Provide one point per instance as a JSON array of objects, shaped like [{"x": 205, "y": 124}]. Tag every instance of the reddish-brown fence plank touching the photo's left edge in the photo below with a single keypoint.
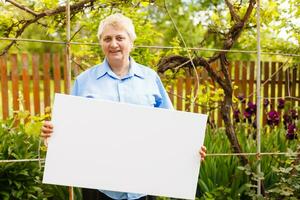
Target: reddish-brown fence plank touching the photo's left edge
[{"x": 4, "y": 87}]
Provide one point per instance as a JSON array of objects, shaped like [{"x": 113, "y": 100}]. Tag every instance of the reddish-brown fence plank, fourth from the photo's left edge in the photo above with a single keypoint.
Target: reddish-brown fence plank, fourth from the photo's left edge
[{"x": 36, "y": 88}]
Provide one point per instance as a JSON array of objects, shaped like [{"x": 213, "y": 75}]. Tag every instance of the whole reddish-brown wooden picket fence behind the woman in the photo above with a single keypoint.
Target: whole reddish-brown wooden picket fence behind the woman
[{"x": 32, "y": 80}]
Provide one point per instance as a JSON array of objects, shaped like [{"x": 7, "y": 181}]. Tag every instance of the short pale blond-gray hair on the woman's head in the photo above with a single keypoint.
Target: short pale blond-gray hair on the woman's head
[{"x": 117, "y": 20}]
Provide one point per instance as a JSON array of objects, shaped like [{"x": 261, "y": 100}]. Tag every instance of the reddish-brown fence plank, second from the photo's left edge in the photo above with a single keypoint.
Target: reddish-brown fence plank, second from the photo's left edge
[{"x": 15, "y": 81}]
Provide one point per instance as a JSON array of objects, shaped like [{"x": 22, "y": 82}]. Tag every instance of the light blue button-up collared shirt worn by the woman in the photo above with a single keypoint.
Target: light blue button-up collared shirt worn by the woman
[{"x": 141, "y": 86}]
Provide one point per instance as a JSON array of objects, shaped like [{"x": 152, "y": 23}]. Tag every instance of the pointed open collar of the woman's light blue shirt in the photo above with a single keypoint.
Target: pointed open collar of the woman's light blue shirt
[{"x": 134, "y": 70}]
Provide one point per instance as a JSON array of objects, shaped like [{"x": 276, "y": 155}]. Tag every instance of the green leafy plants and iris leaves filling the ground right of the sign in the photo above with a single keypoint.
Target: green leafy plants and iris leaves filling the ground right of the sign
[{"x": 222, "y": 177}]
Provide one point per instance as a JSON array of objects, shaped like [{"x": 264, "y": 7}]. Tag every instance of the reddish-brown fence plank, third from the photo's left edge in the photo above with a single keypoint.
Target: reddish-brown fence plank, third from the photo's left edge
[{"x": 26, "y": 82}]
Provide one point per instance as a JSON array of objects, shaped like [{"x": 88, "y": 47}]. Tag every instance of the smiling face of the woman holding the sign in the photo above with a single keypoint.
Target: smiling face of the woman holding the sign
[{"x": 115, "y": 43}]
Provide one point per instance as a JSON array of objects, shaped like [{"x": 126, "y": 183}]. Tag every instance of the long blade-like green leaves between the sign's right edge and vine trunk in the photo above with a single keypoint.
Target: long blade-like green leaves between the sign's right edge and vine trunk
[{"x": 219, "y": 176}]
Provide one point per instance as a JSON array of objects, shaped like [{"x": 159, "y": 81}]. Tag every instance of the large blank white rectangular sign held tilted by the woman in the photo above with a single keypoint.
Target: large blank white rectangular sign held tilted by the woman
[{"x": 122, "y": 147}]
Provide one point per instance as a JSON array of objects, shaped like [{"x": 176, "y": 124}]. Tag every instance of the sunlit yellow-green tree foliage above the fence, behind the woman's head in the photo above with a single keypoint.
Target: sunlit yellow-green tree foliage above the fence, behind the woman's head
[{"x": 202, "y": 23}]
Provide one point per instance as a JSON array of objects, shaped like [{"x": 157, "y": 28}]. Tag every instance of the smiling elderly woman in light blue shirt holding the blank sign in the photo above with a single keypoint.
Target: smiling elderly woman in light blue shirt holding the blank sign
[{"x": 119, "y": 78}]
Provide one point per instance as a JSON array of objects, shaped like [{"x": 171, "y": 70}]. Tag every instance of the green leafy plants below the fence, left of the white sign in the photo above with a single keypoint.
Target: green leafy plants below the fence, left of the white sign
[{"x": 20, "y": 139}]
